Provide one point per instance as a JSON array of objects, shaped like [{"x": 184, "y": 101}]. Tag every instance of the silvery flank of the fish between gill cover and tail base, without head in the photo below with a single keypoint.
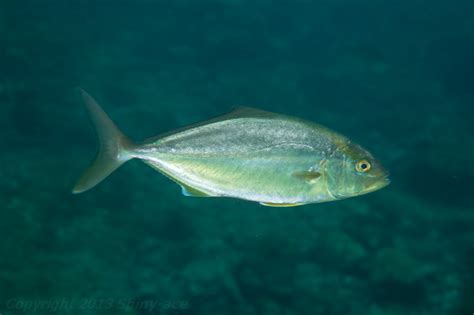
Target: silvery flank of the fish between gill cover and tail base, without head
[{"x": 253, "y": 158}]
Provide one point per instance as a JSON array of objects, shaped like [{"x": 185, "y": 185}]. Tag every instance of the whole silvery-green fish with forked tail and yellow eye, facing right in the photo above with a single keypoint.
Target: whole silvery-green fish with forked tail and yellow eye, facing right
[{"x": 251, "y": 154}]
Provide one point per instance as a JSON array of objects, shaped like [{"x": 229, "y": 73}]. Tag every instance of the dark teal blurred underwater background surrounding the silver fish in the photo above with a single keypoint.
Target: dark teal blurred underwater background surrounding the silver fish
[{"x": 395, "y": 76}]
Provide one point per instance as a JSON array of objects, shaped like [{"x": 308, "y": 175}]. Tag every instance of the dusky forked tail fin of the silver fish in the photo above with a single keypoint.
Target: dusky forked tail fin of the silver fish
[{"x": 114, "y": 147}]
